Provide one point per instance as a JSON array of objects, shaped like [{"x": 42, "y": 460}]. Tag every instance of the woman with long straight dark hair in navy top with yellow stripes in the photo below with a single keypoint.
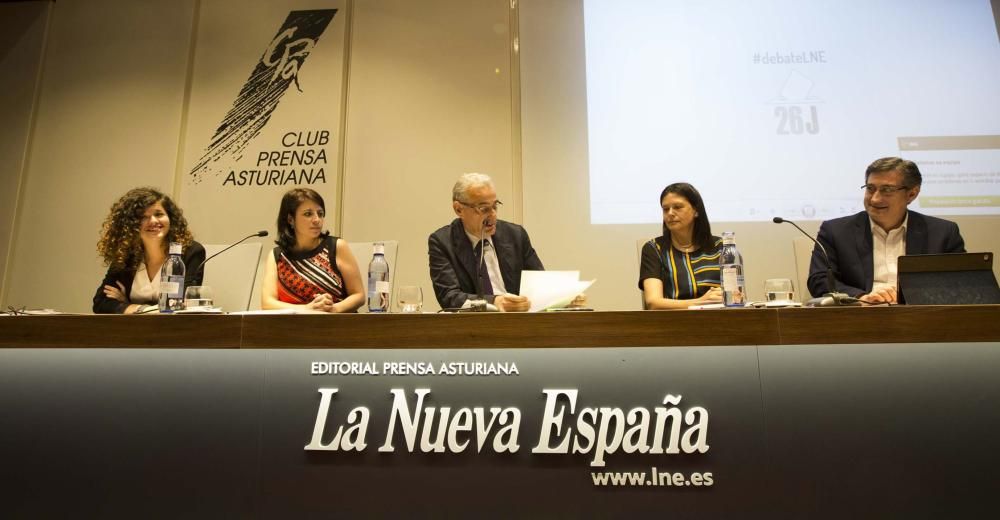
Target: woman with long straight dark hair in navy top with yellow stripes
[{"x": 681, "y": 268}]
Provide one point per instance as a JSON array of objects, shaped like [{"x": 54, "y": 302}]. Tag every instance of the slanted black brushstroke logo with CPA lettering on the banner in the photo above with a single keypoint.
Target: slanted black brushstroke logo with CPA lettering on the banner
[{"x": 277, "y": 69}]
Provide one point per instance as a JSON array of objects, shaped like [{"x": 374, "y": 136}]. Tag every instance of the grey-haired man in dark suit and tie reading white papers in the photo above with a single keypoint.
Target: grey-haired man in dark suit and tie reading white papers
[{"x": 455, "y": 250}]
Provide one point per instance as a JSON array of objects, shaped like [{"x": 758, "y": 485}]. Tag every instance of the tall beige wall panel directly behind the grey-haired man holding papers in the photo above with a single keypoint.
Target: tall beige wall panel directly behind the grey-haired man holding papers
[{"x": 429, "y": 98}]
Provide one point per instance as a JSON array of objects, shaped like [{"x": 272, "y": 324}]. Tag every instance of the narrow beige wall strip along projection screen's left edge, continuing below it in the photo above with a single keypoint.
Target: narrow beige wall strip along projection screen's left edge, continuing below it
[{"x": 554, "y": 141}]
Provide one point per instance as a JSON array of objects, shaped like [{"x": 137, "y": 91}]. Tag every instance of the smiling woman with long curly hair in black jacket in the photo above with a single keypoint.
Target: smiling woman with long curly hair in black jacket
[{"x": 134, "y": 243}]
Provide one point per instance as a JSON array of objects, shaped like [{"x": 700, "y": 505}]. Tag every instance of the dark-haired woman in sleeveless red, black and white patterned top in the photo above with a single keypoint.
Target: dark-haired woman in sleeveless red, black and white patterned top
[{"x": 309, "y": 269}]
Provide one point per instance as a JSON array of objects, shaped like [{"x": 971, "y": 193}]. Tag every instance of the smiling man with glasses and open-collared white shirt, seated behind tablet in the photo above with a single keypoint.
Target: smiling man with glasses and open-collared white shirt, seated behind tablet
[{"x": 864, "y": 247}]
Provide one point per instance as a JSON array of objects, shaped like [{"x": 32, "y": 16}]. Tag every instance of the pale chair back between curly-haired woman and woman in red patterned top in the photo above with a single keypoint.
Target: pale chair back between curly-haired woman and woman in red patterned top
[{"x": 231, "y": 275}]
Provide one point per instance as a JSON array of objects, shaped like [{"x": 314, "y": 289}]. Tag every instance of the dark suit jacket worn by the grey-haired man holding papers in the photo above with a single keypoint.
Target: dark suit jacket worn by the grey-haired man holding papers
[{"x": 453, "y": 263}]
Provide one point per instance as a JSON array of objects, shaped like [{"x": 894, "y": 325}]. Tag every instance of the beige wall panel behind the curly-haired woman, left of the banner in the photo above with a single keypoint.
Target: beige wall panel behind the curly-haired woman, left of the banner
[{"x": 107, "y": 119}]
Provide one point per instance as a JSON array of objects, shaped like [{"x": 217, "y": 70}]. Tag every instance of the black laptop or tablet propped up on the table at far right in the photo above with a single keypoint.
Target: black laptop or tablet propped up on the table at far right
[{"x": 947, "y": 279}]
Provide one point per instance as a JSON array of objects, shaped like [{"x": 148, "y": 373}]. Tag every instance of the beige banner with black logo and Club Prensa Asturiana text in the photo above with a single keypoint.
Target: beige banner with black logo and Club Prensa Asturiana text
[{"x": 264, "y": 114}]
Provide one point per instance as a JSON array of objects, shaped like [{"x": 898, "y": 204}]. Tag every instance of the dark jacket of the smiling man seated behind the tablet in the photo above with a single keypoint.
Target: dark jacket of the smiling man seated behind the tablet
[{"x": 848, "y": 241}]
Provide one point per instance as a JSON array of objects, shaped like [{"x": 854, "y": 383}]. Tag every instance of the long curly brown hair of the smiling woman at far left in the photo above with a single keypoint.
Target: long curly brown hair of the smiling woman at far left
[{"x": 120, "y": 244}]
